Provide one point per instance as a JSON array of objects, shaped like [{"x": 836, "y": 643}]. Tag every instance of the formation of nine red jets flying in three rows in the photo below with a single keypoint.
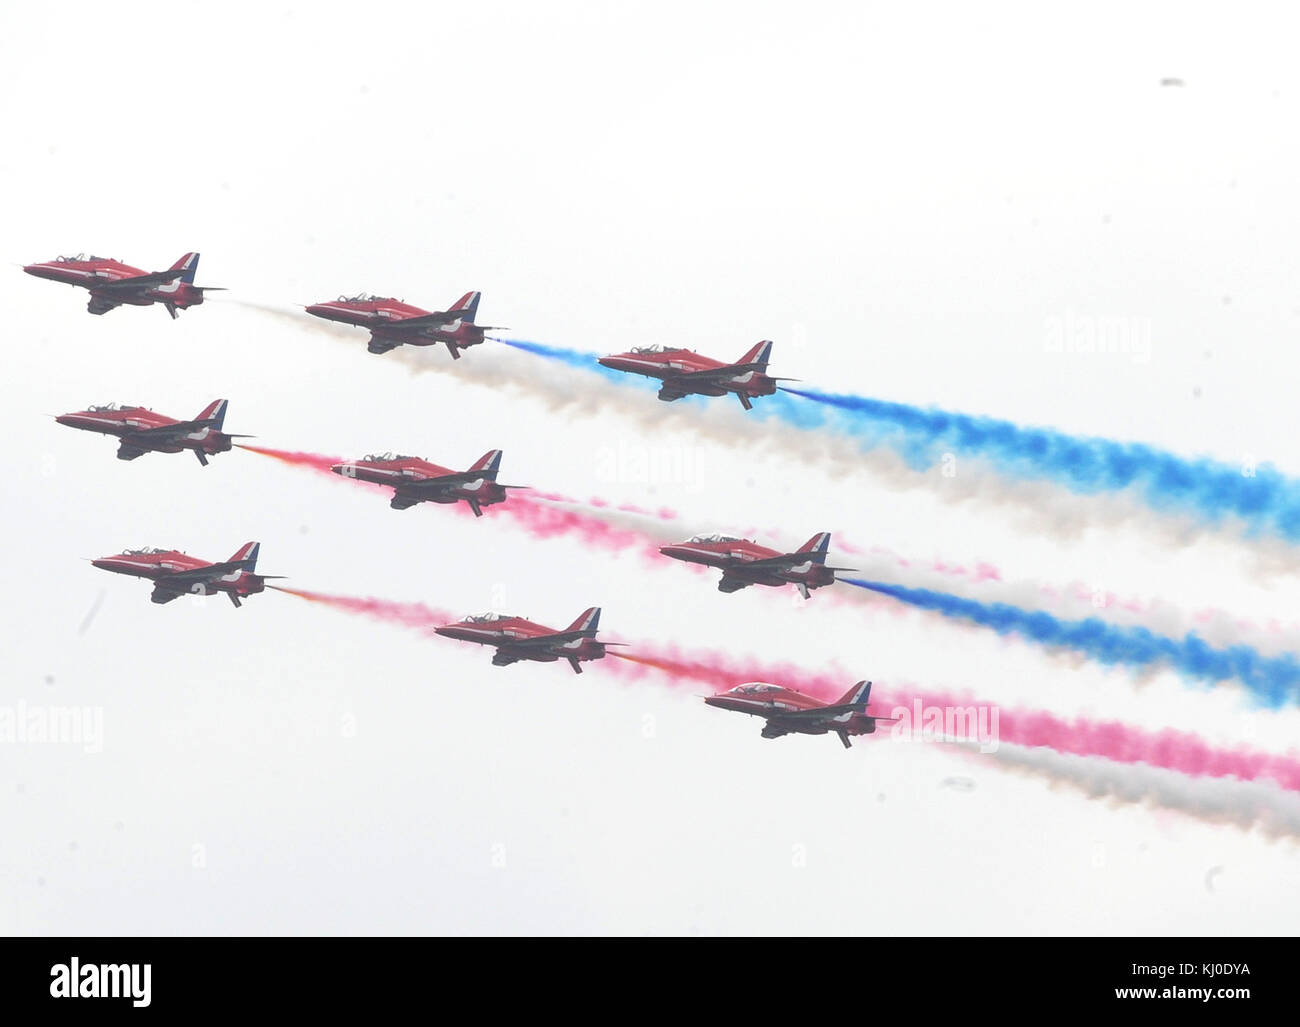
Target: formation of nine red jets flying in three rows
[{"x": 414, "y": 480}]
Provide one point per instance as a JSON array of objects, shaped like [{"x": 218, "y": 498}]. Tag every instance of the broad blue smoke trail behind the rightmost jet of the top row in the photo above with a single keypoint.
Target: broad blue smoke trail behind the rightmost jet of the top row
[{"x": 1268, "y": 502}]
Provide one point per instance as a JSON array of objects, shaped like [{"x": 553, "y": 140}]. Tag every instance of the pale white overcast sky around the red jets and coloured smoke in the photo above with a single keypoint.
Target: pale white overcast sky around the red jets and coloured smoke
[{"x": 902, "y": 200}]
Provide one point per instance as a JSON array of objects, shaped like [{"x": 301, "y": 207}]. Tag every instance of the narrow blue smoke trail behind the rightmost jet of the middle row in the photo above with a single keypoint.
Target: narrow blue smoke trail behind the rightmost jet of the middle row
[{"x": 1272, "y": 679}]
